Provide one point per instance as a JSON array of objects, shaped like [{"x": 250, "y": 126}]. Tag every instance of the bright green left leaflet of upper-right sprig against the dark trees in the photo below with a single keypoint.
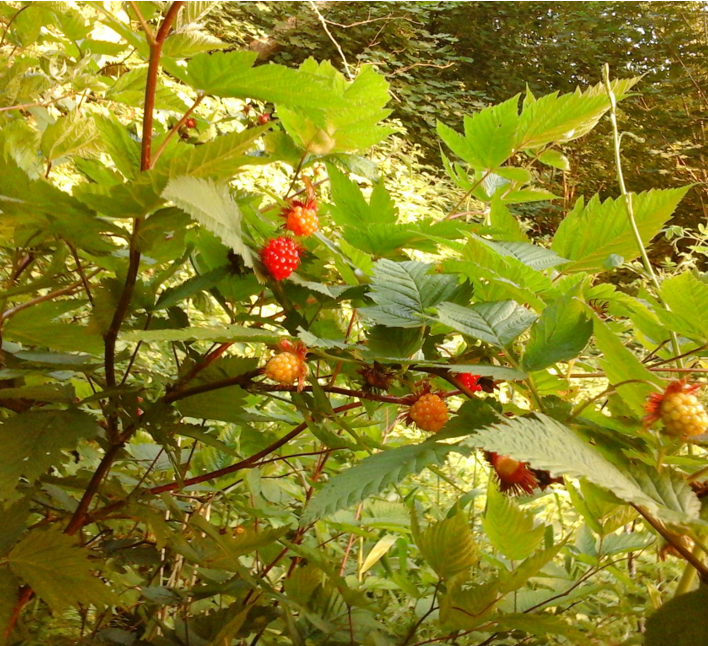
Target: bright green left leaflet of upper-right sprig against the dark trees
[{"x": 490, "y": 136}]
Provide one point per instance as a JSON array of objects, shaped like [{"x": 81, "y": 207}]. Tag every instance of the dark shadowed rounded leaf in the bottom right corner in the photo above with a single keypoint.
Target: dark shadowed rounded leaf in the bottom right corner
[{"x": 681, "y": 621}]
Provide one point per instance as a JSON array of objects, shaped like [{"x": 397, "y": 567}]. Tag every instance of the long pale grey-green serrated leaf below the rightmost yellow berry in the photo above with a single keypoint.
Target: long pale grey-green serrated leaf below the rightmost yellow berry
[{"x": 547, "y": 444}]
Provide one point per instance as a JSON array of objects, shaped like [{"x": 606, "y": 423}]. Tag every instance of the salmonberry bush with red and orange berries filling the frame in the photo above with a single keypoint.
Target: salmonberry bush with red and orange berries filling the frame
[{"x": 246, "y": 399}]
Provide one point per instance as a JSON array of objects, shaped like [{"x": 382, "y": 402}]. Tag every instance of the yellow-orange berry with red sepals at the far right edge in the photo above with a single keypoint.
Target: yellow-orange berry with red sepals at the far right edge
[{"x": 679, "y": 409}]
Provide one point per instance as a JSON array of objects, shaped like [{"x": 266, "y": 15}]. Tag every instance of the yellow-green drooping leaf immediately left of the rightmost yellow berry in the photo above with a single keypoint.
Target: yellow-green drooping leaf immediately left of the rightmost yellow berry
[{"x": 620, "y": 365}]
